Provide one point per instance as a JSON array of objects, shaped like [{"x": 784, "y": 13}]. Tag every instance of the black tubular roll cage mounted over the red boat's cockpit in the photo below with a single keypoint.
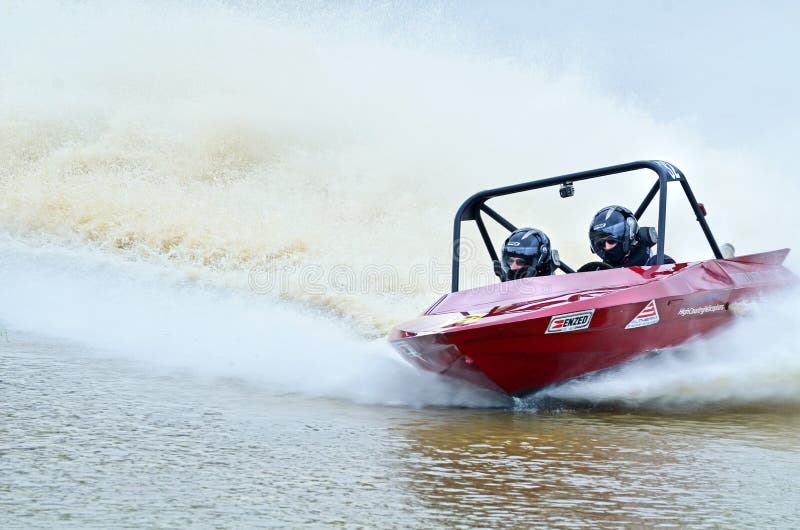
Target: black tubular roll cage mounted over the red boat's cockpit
[{"x": 472, "y": 208}]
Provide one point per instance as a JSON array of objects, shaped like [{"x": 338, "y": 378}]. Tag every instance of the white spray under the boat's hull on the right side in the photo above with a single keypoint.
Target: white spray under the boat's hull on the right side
[{"x": 755, "y": 362}]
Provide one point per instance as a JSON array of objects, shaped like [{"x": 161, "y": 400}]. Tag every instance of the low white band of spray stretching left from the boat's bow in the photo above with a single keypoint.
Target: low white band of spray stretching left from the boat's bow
[{"x": 136, "y": 311}]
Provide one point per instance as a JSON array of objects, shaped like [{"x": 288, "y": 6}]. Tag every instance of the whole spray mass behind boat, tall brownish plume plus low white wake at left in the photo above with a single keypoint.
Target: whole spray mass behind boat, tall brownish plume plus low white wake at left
[{"x": 240, "y": 162}]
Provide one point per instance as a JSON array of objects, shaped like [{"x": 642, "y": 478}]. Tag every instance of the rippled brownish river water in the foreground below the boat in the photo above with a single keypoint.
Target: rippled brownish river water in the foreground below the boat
[{"x": 88, "y": 440}]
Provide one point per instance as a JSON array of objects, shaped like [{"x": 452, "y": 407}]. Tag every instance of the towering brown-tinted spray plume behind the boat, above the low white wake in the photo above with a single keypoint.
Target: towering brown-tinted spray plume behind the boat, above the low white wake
[{"x": 302, "y": 143}]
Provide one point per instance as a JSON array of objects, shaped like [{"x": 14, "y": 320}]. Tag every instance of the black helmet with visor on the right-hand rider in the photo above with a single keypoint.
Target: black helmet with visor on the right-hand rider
[{"x": 613, "y": 223}]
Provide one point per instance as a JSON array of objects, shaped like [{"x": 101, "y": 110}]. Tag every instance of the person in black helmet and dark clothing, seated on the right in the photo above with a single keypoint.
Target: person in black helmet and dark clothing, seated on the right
[{"x": 614, "y": 236}]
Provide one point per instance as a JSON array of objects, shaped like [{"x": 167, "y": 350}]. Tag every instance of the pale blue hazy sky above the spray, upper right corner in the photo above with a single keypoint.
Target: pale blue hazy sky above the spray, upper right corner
[{"x": 730, "y": 67}]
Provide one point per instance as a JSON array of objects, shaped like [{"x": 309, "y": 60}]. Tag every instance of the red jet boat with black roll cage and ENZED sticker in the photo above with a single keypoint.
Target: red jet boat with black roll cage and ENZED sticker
[{"x": 522, "y": 335}]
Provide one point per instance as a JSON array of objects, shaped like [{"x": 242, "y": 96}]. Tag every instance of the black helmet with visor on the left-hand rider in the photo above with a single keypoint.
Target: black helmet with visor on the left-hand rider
[{"x": 531, "y": 245}]
